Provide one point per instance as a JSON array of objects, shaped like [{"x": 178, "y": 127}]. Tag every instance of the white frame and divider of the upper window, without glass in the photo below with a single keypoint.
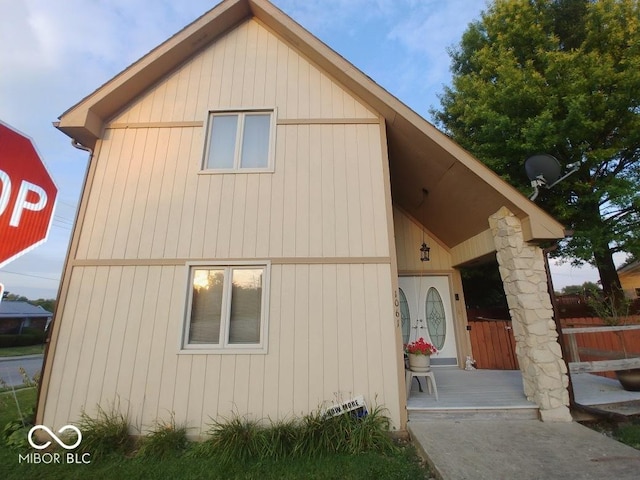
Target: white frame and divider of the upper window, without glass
[{"x": 241, "y": 112}]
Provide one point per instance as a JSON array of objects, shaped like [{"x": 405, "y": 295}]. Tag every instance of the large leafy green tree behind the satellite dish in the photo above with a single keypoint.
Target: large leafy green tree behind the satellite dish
[{"x": 559, "y": 77}]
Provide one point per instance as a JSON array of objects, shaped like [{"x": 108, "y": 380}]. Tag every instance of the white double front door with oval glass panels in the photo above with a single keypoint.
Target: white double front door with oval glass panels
[{"x": 426, "y": 311}]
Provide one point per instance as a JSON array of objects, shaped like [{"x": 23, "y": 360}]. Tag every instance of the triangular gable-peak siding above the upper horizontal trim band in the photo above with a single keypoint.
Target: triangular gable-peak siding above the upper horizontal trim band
[{"x": 249, "y": 66}]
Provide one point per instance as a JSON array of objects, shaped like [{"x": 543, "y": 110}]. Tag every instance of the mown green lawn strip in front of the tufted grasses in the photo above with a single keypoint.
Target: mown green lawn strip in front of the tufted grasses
[{"x": 401, "y": 465}]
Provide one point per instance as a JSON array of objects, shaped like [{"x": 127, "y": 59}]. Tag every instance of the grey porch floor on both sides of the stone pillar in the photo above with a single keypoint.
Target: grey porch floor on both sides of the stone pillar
[{"x": 487, "y": 391}]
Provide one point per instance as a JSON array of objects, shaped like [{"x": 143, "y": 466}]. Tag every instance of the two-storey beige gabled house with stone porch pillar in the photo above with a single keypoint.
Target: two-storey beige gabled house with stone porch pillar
[{"x": 249, "y": 233}]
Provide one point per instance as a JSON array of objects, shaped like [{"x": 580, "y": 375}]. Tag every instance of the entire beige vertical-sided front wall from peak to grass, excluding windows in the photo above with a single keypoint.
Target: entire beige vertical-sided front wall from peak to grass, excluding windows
[{"x": 331, "y": 326}]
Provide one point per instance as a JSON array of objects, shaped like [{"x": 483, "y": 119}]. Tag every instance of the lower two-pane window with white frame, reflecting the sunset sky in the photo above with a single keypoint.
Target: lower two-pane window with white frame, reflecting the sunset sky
[{"x": 227, "y": 308}]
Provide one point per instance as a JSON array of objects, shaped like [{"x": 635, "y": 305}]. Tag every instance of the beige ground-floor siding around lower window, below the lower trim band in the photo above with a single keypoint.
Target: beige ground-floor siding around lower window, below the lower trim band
[{"x": 326, "y": 342}]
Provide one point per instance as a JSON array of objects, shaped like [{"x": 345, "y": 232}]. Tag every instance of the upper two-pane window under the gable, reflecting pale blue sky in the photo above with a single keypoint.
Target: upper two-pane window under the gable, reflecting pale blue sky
[{"x": 240, "y": 141}]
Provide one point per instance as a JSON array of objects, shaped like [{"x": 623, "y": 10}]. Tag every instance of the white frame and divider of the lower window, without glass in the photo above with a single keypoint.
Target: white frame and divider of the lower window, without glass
[{"x": 226, "y": 348}]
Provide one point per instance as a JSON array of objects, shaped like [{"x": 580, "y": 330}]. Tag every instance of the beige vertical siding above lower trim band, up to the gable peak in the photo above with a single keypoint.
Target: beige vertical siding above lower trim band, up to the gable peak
[{"x": 148, "y": 182}]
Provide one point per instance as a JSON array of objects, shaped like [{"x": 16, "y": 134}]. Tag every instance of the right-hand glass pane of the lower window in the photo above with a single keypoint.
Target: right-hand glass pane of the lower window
[{"x": 246, "y": 305}]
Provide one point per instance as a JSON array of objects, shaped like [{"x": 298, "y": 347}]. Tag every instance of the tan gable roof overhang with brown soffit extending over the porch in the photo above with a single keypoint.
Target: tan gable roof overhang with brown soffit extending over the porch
[{"x": 462, "y": 192}]
